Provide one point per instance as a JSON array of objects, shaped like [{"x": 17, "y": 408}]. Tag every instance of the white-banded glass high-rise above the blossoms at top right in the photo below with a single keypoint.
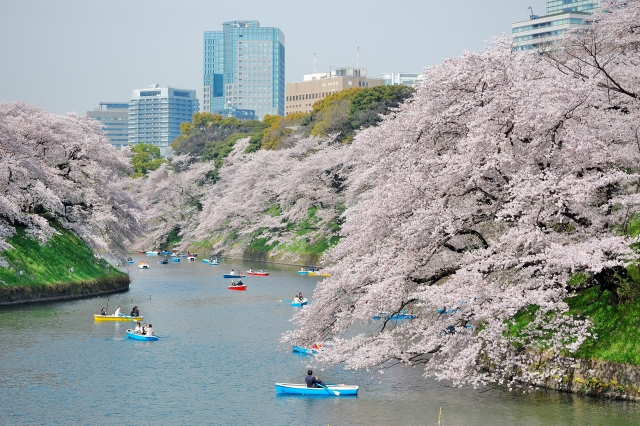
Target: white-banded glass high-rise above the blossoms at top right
[{"x": 561, "y": 16}]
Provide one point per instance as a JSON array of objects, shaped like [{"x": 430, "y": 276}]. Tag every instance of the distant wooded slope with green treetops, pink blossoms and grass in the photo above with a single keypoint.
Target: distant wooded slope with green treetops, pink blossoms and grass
[{"x": 224, "y": 192}]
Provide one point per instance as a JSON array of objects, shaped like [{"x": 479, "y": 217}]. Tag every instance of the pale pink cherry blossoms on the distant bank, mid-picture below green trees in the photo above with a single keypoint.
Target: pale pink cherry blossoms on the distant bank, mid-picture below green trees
[{"x": 307, "y": 174}]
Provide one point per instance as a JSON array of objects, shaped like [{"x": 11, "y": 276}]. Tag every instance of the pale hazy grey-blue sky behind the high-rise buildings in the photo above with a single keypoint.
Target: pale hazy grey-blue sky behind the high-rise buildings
[{"x": 68, "y": 55}]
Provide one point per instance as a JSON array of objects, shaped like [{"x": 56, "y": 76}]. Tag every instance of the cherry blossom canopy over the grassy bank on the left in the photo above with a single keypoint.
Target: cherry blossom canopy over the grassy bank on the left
[{"x": 63, "y": 168}]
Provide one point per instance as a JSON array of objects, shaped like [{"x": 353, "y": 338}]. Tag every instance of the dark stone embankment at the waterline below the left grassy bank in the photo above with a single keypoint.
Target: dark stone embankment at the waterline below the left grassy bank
[{"x": 64, "y": 291}]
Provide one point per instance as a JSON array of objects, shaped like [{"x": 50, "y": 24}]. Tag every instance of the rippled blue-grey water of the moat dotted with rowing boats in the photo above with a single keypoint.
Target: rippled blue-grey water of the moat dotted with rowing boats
[{"x": 217, "y": 360}]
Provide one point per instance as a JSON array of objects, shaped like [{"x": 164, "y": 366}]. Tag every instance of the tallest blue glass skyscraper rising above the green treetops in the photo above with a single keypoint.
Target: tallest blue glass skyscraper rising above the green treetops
[{"x": 244, "y": 69}]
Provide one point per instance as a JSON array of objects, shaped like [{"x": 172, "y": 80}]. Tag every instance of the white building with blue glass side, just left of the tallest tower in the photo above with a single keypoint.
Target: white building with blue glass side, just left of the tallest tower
[{"x": 155, "y": 115}]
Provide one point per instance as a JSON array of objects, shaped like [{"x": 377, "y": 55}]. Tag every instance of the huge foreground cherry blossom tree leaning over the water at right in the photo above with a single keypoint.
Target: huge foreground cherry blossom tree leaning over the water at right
[{"x": 504, "y": 176}]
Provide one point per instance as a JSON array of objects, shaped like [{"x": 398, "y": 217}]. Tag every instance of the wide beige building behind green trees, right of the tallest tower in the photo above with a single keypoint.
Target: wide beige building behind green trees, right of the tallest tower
[{"x": 301, "y": 95}]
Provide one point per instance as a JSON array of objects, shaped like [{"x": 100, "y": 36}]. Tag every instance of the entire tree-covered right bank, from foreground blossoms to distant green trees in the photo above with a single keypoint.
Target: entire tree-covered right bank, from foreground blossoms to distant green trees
[{"x": 499, "y": 203}]
